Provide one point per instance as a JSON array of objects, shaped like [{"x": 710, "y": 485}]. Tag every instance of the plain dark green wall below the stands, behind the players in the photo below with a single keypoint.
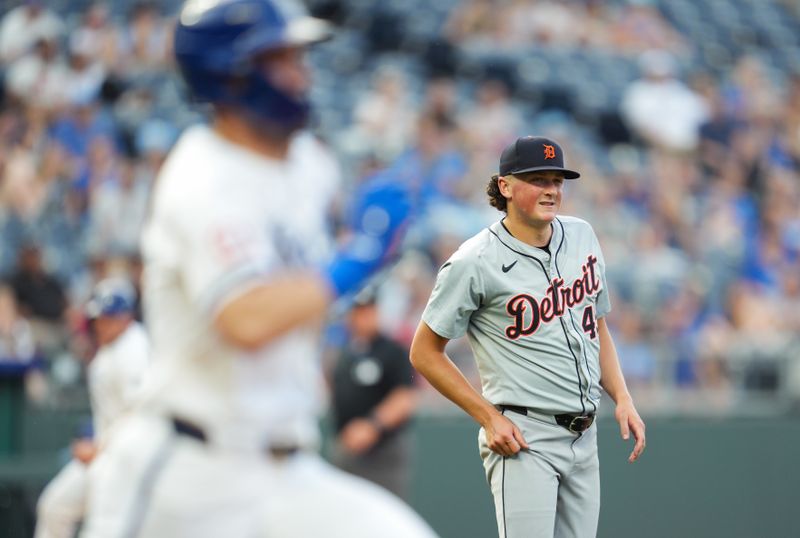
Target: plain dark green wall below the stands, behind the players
[{"x": 699, "y": 478}]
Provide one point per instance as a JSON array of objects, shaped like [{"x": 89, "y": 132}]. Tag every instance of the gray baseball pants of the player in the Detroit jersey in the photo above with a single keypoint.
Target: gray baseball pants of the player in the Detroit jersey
[{"x": 551, "y": 490}]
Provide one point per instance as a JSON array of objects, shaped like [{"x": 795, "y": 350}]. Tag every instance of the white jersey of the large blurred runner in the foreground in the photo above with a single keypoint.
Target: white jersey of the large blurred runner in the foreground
[{"x": 224, "y": 219}]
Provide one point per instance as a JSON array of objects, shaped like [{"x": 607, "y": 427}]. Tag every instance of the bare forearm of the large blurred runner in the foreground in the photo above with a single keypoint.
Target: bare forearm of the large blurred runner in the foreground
[{"x": 268, "y": 311}]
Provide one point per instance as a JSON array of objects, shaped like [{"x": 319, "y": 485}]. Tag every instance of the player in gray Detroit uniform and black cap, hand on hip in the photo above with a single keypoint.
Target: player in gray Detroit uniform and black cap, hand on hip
[{"x": 530, "y": 293}]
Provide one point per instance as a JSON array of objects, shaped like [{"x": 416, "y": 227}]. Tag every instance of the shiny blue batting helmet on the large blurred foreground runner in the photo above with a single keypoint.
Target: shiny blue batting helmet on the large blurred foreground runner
[{"x": 216, "y": 42}]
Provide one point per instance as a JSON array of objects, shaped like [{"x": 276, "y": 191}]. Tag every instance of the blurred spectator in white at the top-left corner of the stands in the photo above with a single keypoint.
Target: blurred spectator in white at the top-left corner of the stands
[{"x": 24, "y": 26}]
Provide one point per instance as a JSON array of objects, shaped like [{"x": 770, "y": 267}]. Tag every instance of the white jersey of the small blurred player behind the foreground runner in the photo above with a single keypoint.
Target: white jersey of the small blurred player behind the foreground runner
[{"x": 116, "y": 375}]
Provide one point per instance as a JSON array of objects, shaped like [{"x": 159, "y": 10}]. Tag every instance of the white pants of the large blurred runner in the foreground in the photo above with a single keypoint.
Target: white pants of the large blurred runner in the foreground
[{"x": 159, "y": 484}]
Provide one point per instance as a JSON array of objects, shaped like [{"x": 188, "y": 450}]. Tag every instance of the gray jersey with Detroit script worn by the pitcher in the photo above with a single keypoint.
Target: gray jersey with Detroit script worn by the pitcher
[{"x": 530, "y": 315}]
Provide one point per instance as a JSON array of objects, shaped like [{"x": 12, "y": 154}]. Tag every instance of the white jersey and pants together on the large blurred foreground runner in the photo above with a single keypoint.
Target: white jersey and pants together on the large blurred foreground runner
[{"x": 225, "y": 219}]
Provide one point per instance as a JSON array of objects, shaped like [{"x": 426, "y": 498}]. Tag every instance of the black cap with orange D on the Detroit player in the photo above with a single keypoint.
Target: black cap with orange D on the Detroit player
[{"x": 534, "y": 154}]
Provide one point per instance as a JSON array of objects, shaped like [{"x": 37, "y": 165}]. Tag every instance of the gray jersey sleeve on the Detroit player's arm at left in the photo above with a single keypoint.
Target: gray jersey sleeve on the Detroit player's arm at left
[{"x": 457, "y": 294}]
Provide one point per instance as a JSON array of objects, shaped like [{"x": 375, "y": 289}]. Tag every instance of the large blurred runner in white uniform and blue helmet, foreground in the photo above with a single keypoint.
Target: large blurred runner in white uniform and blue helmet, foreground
[{"x": 237, "y": 275}]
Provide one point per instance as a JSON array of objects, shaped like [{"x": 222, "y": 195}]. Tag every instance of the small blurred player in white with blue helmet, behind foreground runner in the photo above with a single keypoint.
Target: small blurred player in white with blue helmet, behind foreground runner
[{"x": 115, "y": 375}]
